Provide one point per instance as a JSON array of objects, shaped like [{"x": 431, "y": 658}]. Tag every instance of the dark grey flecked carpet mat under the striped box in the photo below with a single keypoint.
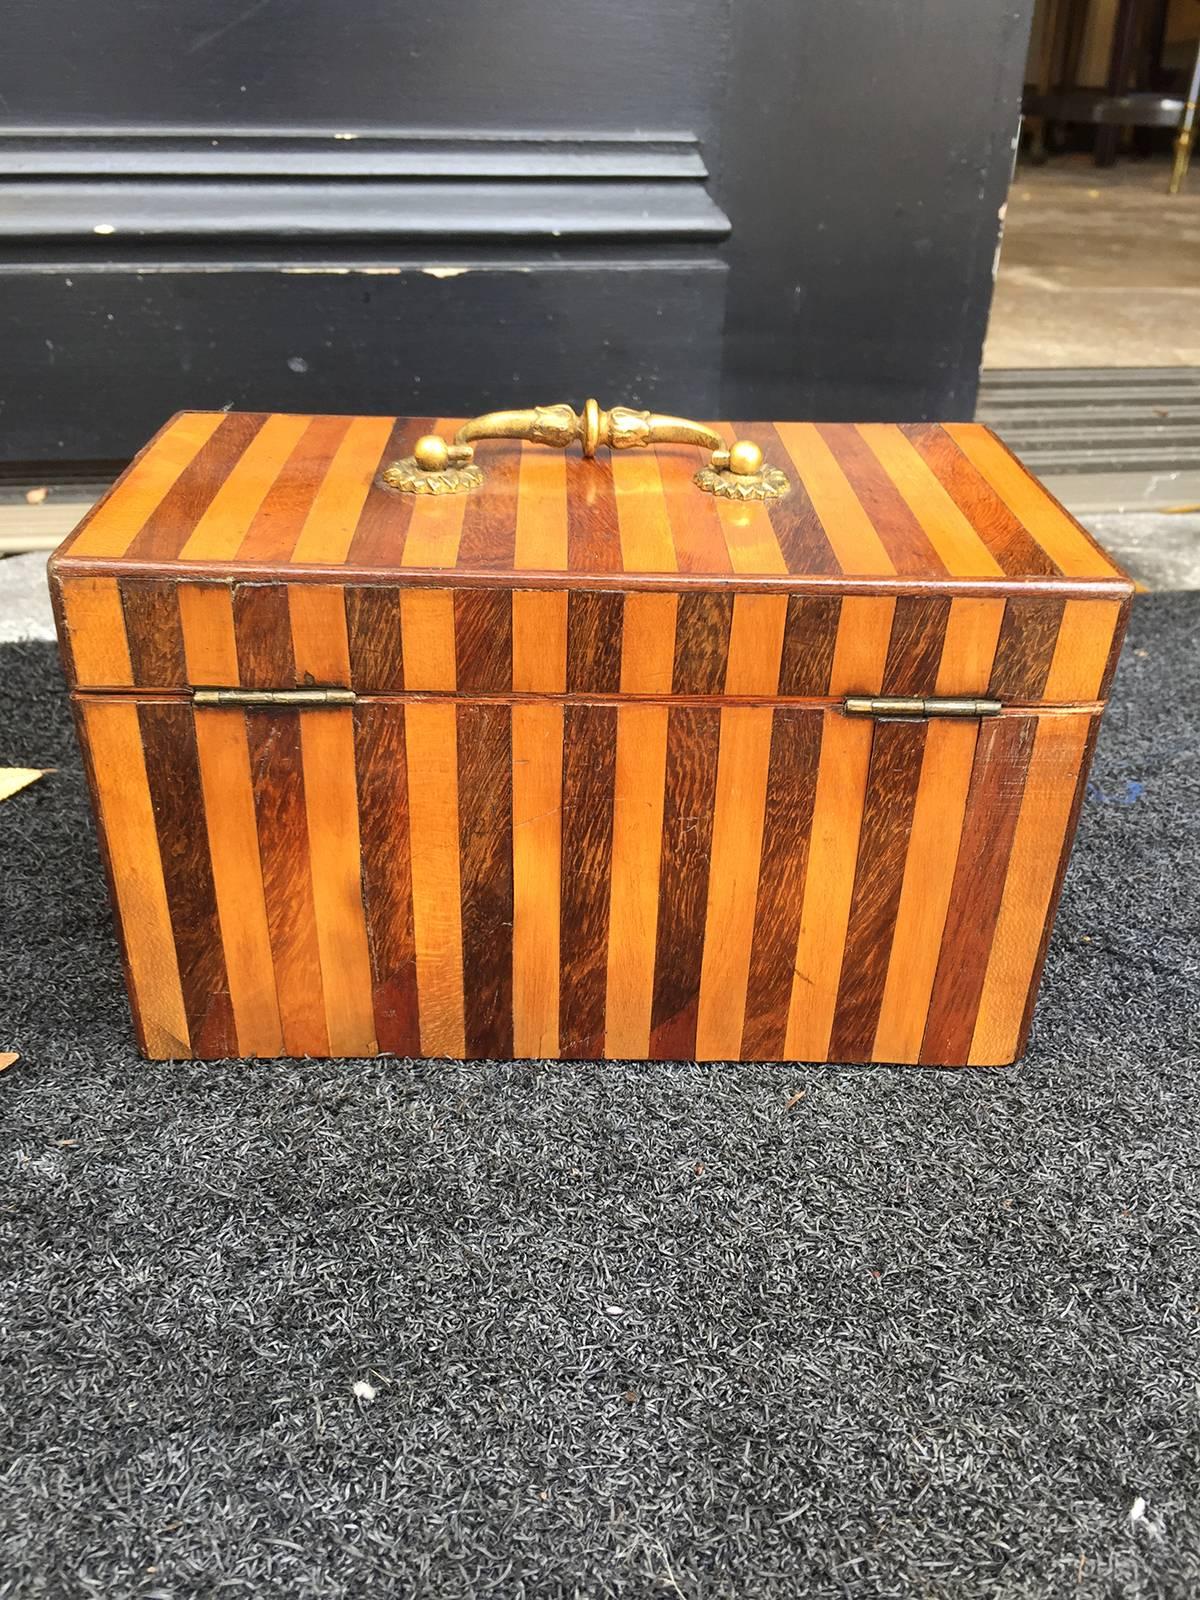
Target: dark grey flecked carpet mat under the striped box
[{"x": 631, "y": 1330}]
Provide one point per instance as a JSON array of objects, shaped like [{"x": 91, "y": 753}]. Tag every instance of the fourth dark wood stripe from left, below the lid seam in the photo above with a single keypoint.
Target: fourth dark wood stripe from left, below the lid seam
[{"x": 486, "y": 838}]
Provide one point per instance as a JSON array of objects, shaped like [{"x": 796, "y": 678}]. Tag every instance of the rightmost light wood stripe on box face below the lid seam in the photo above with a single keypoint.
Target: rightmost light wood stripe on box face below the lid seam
[{"x": 1030, "y": 886}]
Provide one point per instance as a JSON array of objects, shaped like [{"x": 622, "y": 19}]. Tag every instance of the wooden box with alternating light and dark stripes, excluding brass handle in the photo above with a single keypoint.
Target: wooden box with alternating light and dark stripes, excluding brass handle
[{"x": 590, "y": 788}]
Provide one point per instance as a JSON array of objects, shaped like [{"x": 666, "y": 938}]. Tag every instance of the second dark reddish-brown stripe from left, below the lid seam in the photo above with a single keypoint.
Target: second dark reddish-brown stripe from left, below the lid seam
[{"x": 278, "y": 775}]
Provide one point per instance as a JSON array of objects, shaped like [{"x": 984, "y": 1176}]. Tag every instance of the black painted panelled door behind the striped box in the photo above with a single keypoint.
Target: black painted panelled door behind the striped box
[{"x": 718, "y": 207}]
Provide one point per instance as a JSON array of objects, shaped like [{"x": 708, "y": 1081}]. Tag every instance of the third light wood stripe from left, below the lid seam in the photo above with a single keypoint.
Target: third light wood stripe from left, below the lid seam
[{"x": 332, "y": 806}]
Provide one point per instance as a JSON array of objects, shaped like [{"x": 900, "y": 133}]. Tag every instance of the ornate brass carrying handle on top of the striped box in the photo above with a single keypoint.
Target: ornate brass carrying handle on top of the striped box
[{"x": 439, "y": 468}]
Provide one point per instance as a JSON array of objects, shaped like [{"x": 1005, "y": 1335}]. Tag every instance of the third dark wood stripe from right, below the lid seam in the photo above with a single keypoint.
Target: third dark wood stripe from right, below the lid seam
[{"x": 788, "y": 823}]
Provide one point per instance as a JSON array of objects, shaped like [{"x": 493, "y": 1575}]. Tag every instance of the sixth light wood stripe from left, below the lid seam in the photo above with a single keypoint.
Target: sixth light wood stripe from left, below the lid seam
[{"x": 638, "y": 854}]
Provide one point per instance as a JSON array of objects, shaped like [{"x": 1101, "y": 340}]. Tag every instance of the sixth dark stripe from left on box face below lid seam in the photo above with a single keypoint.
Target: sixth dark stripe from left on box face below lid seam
[{"x": 694, "y": 740}]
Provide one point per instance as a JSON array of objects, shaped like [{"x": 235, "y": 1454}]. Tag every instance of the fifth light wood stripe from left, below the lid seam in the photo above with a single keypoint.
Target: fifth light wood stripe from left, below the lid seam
[{"x": 537, "y": 878}]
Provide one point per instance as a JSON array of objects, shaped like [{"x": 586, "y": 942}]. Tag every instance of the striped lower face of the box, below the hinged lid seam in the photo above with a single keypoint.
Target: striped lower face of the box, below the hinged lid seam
[{"x": 577, "y": 881}]
